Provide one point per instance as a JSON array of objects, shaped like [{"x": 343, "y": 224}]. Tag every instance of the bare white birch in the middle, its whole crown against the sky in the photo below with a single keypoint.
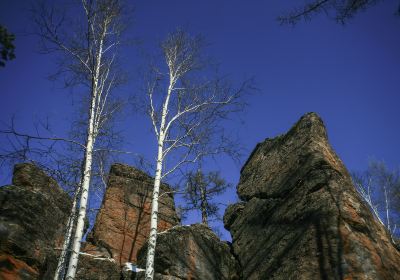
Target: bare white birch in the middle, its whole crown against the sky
[{"x": 185, "y": 104}]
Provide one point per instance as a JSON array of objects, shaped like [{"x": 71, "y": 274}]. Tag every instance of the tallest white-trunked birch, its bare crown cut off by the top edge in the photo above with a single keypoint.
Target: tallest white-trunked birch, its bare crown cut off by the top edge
[{"x": 89, "y": 57}]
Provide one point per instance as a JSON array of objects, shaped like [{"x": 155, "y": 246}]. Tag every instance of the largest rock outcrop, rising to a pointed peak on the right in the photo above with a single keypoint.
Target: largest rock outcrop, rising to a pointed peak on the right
[{"x": 301, "y": 217}]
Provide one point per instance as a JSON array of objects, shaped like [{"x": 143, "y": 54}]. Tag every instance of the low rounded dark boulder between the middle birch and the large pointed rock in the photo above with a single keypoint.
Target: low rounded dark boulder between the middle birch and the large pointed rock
[{"x": 191, "y": 252}]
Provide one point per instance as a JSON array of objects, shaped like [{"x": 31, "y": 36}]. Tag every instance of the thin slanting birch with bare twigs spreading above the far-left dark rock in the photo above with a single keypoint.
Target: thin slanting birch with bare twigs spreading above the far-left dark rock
[{"x": 61, "y": 159}]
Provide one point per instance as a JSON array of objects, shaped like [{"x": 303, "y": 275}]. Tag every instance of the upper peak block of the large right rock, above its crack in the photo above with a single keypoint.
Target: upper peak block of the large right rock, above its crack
[{"x": 275, "y": 164}]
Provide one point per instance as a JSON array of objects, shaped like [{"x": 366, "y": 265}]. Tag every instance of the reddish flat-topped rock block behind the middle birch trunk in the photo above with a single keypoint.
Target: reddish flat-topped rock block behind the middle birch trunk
[{"x": 123, "y": 223}]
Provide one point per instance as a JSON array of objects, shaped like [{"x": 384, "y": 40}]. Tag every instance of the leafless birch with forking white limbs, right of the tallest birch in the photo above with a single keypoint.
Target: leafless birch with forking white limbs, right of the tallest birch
[{"x": 192, "y": 108}]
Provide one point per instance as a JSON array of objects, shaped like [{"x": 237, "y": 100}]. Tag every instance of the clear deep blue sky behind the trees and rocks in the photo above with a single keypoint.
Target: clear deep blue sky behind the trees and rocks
[{"x": 349, "y": 75}]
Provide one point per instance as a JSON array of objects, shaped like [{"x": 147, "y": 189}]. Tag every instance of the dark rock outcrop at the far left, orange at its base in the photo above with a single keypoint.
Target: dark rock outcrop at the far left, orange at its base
[{"x": 33, "y": 212}]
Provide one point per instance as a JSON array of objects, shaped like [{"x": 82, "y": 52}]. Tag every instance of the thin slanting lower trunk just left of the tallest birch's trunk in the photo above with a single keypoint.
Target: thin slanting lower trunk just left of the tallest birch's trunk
[{"x": 61, "y": 266}]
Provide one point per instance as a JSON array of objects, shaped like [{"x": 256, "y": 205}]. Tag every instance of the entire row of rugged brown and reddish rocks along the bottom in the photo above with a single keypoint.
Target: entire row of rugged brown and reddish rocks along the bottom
[{"x": 300, "y": 218}]
